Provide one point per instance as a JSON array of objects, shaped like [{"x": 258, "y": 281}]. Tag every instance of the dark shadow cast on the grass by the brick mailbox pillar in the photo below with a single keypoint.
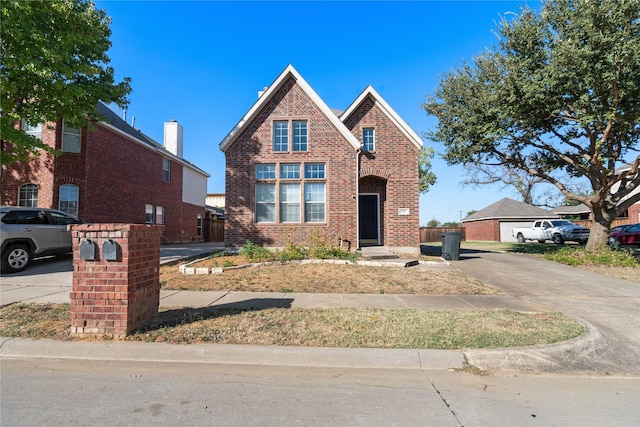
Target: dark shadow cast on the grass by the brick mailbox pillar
[{"x": 182, "y": 316}]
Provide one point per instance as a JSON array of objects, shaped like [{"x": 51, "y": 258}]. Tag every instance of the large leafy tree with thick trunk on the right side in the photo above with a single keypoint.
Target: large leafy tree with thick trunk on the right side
[{"x": 558, "y": 98}]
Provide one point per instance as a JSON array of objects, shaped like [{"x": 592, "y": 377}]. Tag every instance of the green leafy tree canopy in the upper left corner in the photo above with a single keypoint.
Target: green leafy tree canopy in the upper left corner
[{"x": 53, "y": 65}]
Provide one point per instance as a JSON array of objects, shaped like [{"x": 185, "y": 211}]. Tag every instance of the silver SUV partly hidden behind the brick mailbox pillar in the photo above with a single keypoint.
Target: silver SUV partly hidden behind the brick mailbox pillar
[{"x": 27, "y": 232}]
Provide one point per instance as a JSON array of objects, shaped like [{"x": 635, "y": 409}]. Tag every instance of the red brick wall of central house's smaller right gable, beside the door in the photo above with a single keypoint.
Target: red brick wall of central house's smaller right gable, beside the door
[{"x": 395, "y": 160}]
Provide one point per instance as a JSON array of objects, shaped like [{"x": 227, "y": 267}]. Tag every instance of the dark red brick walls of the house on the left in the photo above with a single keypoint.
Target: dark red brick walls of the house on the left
[{"x": 116, "y": 178}]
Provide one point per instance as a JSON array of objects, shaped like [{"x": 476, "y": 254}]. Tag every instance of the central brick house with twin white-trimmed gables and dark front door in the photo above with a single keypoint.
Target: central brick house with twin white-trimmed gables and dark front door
[{"x": 296, "y": 171}]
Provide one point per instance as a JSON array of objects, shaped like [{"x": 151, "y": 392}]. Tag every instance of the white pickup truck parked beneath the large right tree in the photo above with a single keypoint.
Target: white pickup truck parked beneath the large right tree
[{"x": 557, "y": 230}]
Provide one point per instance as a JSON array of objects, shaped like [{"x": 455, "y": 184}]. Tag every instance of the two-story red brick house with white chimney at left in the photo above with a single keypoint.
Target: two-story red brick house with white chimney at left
[{"x": 112, "y": 173}]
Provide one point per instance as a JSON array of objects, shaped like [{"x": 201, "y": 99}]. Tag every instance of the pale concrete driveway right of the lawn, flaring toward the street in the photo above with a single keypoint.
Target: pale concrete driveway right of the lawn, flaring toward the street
[{"x": 609, "y": 308}]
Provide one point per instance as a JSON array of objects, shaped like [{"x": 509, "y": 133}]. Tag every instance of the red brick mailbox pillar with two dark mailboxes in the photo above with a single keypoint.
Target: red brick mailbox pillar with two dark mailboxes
[{"x": 116, "y": 278}]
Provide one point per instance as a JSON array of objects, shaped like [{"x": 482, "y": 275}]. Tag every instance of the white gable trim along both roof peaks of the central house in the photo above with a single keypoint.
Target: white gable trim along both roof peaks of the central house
[{"x": 333, "y": 115}]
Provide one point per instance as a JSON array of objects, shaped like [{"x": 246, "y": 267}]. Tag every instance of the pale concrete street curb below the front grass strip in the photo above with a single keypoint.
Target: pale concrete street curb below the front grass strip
[{"x": 232, "y": 354}]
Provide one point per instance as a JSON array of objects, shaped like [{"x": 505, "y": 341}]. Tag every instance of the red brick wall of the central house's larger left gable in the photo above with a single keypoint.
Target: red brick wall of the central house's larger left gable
[{"x": 325, "y": 145}]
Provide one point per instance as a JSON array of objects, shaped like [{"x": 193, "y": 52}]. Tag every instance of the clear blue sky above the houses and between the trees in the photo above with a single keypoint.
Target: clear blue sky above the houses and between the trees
[{"x": 202, "y": 63}]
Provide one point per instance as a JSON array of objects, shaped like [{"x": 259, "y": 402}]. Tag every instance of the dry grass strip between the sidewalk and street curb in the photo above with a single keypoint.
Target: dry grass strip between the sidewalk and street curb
[{"x": 357, "y": 328}]
